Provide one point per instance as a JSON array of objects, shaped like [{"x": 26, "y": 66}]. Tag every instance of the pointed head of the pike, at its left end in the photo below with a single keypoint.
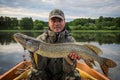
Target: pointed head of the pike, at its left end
[{"x": 29, "y": 43}]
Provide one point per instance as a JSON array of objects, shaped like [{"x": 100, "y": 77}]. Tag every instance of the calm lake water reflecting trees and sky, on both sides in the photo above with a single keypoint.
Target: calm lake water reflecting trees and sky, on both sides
[{"x": 11, "y": 52}]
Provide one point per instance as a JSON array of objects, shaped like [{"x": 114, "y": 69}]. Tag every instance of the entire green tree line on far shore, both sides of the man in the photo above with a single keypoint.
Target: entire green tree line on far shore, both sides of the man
[{"x": 27, "y": 23}]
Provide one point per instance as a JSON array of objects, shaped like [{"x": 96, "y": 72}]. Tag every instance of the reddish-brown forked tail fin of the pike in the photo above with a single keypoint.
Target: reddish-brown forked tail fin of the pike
[{"x": 107, "y": 63}]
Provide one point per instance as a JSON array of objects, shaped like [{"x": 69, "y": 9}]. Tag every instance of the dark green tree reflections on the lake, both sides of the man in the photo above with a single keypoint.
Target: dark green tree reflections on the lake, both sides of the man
[{"x": 101, "y": 38}]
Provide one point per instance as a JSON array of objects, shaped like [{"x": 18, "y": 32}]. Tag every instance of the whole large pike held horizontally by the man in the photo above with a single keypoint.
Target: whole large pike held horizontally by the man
[{"x": 62, "y": 50}]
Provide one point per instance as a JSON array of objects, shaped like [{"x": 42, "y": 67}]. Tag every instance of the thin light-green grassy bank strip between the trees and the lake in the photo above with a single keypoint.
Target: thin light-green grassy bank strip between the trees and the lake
[{"x": 71, "y": 31}]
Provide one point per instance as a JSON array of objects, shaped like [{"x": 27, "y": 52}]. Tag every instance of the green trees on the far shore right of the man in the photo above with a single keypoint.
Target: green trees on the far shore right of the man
[{"x": 102, "y": 23}]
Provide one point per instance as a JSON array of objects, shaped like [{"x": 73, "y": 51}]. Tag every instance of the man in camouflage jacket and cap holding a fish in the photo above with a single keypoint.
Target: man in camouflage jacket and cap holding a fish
[{"x": 55, "y": 68}]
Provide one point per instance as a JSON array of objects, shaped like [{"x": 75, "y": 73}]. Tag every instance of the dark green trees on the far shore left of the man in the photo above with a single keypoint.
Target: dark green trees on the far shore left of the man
[{"x": 26, "y": 23}]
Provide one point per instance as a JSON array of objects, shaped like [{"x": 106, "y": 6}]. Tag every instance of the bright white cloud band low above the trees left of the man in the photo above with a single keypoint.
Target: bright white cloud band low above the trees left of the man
[{"x": 22, "y": 12}]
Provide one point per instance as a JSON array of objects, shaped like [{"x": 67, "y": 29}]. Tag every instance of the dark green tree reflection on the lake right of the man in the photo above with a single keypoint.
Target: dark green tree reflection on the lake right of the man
[{"x": 100, "y": 37}]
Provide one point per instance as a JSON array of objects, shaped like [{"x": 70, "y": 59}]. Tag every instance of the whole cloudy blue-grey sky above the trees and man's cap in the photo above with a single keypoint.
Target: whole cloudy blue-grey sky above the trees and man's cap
[{"x": 39, "y": 9}]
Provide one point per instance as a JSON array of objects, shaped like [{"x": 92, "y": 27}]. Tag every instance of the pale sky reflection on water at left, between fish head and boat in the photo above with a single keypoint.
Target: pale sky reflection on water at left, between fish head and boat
[{"x": 10, "y": 55}]
